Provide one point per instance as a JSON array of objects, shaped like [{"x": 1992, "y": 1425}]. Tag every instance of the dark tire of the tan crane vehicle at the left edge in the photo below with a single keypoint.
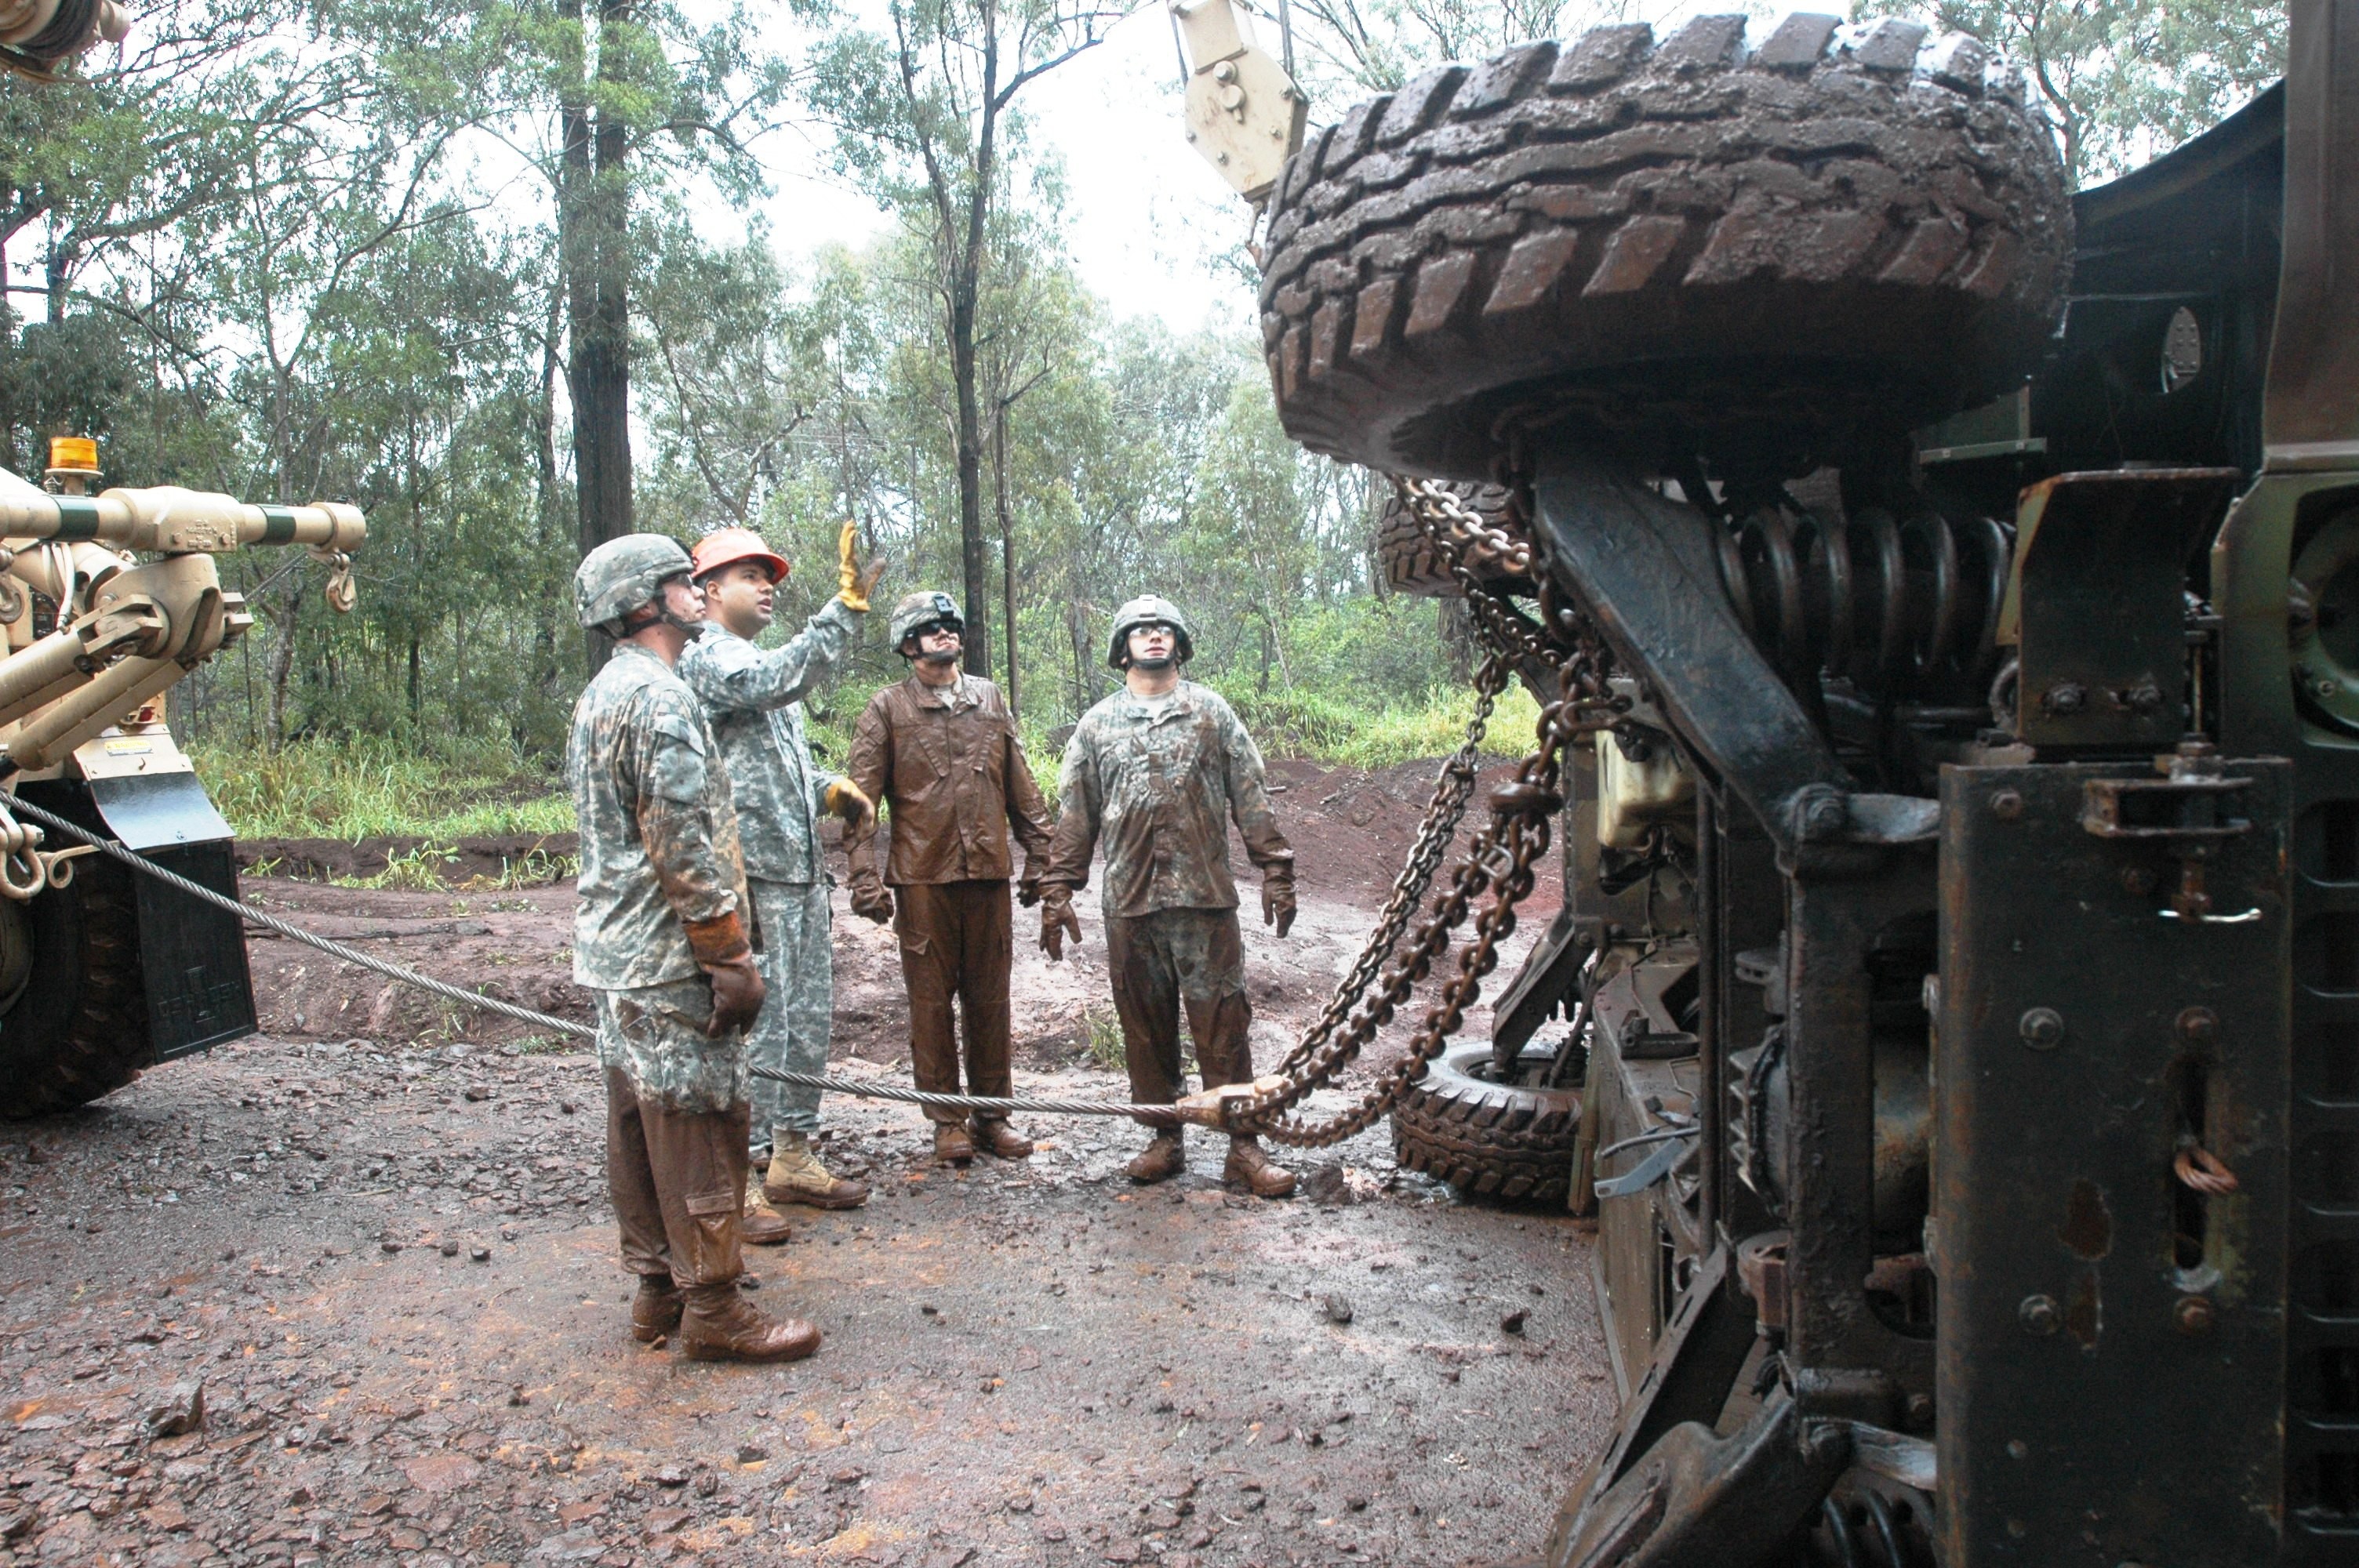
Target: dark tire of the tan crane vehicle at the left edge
[{"x": 72, "y": 996}]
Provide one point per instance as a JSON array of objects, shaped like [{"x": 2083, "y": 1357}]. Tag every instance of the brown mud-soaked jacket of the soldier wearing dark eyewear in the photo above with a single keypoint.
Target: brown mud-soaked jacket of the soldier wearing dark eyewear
[{"x": 954, "y": 779}]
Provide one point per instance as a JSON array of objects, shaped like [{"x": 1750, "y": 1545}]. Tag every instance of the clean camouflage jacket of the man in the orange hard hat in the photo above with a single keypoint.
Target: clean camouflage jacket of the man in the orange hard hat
[{"x": 754, "y": 699}]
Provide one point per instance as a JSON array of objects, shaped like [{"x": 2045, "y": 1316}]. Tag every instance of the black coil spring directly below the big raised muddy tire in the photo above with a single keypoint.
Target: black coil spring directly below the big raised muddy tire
[{"x": 1900, "y": 607}]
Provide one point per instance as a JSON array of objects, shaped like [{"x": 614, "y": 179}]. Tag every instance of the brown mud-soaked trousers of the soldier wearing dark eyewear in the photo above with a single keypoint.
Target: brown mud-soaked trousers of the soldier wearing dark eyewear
[{"x": 957, "y": 947}]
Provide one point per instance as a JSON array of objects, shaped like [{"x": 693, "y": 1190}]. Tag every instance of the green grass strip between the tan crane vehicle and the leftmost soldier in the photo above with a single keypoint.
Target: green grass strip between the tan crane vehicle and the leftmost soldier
[{"x": 381, "y": 789}]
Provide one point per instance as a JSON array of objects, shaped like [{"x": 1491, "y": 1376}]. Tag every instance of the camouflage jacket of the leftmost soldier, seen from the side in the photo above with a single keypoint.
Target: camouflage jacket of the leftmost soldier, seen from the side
[{"x": 657, "y": 826}]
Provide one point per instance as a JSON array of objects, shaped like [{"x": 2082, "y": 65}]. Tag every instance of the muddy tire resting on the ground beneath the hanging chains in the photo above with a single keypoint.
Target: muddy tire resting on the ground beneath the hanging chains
[{"x": 1487, "y": 1138}]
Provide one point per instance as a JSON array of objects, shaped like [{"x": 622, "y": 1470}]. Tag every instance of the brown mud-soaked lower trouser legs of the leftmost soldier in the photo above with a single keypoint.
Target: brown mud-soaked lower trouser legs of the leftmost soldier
[{"x": 678, "y": 1182}]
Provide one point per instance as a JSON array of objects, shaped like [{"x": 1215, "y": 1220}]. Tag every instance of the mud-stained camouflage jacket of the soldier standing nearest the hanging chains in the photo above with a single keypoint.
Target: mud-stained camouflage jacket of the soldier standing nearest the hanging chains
[{"x": 1157, "y": 779}]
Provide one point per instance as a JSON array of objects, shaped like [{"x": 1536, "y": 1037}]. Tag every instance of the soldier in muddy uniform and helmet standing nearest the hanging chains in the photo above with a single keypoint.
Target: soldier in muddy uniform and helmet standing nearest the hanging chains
[{"x": 1155, "y": 775}]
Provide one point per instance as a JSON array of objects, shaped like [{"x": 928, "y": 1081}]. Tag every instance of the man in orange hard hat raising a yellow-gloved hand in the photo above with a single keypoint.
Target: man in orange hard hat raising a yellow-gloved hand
[{"x": 754, "y": 699}]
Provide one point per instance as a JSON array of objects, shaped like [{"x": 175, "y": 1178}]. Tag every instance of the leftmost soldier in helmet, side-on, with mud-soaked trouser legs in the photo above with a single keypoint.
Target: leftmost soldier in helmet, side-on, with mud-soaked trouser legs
[{"x": 662, "y": 944}]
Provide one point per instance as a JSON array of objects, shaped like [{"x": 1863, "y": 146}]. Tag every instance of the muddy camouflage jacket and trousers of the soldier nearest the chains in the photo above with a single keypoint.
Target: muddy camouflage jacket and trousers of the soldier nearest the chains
[{"x": 1157, "y": 782}]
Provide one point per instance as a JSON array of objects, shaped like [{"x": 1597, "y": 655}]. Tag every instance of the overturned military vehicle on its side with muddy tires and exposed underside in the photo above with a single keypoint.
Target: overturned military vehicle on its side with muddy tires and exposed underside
[{"x": 1947, "y": 602}]
